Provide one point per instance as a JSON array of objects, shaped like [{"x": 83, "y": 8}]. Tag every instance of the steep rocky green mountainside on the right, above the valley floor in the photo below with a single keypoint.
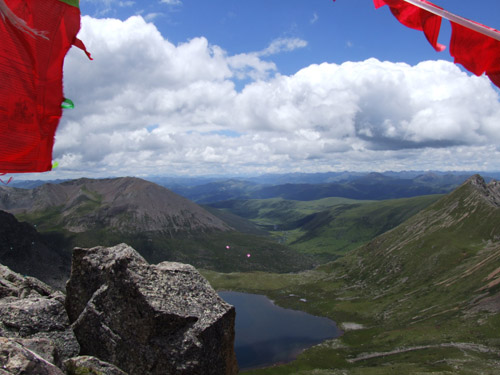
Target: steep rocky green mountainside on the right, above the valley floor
[{"x": 451, "y": 248}]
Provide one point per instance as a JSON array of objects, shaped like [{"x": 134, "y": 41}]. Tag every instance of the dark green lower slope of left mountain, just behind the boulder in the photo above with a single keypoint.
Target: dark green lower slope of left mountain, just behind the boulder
[{"x": 204, "y": 250}]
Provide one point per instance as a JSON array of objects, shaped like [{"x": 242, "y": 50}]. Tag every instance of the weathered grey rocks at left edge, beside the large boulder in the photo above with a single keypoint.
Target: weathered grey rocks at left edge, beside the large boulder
[{"x": 34, "y": 314}]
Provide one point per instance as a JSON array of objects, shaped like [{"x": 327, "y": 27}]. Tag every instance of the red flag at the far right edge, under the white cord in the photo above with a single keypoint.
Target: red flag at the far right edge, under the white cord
[{"x": 477, "y": 53}]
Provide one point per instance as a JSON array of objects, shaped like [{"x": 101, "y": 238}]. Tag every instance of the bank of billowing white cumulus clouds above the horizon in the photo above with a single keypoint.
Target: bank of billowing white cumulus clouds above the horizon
[{"x": 147, "y": 106}]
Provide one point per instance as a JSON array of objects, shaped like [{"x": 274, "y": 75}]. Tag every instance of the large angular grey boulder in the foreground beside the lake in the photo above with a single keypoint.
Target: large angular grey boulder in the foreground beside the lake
[{"x": 148, "y": 319}]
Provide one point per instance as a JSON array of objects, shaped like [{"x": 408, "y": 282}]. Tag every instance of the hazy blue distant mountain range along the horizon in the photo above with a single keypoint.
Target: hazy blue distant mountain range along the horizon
[{"x": 366, "y": 186}]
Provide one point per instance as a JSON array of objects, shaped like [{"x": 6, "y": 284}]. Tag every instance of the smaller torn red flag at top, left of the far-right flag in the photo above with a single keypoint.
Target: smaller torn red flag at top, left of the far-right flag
[{"x": 415, "y": 18}]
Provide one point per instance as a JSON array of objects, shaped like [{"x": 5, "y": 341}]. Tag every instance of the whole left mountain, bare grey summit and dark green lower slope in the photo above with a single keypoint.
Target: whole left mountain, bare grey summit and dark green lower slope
[{"x": 160, "y": 224}]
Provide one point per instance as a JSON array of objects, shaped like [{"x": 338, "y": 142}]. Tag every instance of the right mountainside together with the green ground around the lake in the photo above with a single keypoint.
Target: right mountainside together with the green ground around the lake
[{"x": 424, "y": 297}]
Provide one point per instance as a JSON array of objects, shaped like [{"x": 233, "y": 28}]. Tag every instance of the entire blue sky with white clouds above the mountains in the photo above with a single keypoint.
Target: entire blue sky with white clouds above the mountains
[{"x": 191, "y": 87}]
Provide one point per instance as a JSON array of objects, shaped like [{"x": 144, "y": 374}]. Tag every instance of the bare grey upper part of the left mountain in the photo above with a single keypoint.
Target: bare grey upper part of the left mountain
[{"x": 125, "y": 204}]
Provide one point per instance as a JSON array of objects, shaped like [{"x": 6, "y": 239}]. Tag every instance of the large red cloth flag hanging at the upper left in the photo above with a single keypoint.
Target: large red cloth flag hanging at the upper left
[{"x": 31, "y": 89}]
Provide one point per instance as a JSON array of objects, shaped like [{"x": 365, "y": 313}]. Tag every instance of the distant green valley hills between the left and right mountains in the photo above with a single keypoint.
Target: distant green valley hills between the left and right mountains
[{"x": 326, "y": 228}]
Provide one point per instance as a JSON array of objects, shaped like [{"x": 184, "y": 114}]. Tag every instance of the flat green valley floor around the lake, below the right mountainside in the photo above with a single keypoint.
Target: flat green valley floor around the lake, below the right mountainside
[{"x": 444, "y": 341}]
